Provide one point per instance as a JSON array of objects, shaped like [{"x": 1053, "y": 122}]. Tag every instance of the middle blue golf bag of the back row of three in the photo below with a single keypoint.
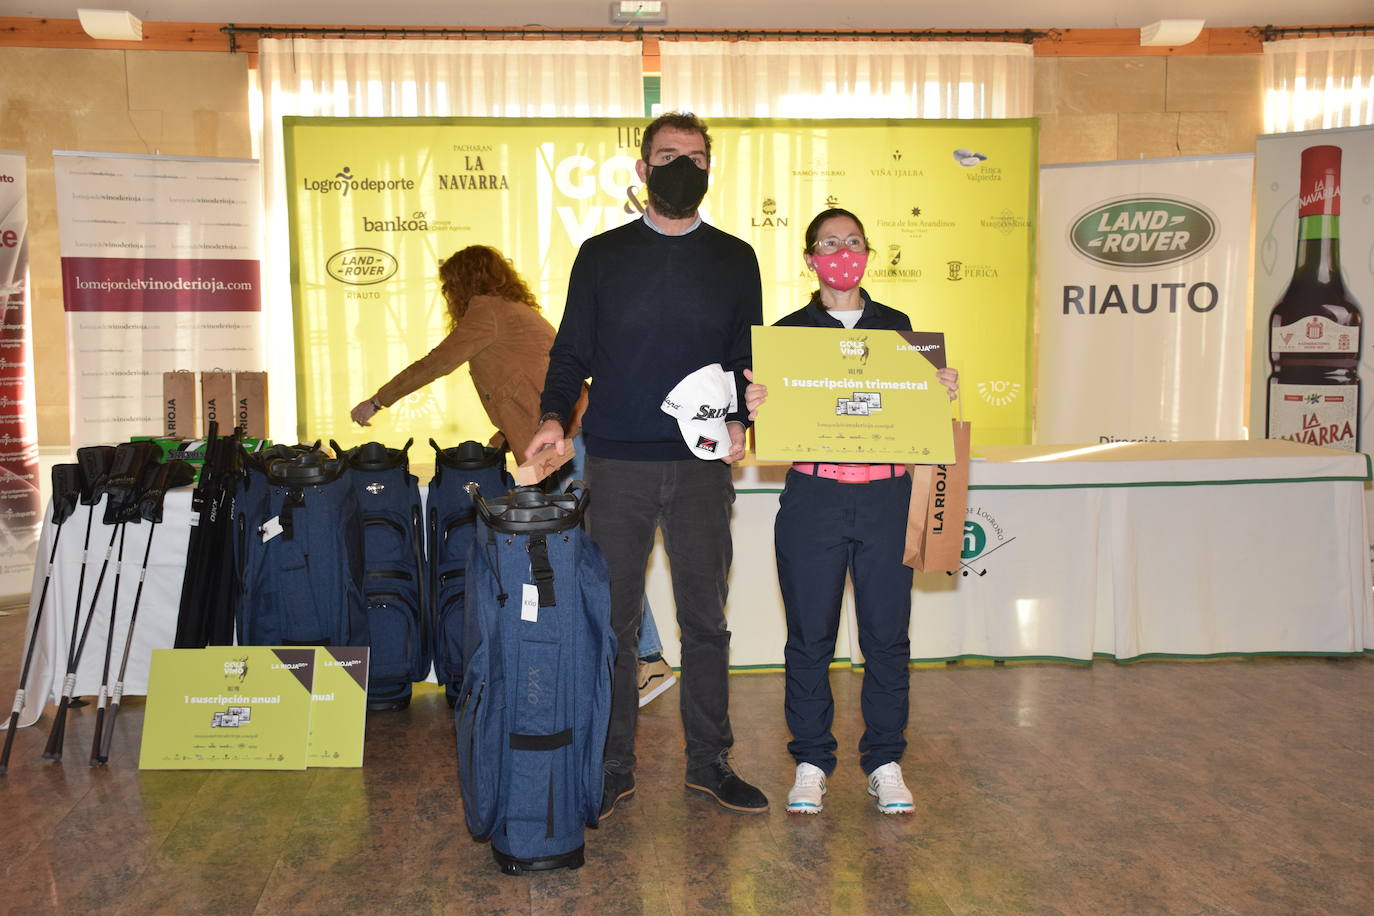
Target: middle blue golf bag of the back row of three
[{"x": 394, "y": 562}]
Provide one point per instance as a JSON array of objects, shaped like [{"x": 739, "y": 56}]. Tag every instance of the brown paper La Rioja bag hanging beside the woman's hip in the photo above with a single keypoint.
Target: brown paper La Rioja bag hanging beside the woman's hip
[{"x": 939, "y": 502}]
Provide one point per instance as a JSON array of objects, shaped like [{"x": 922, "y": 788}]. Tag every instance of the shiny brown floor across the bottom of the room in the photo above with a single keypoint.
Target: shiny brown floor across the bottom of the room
[{"x": 1191, "y": 788}]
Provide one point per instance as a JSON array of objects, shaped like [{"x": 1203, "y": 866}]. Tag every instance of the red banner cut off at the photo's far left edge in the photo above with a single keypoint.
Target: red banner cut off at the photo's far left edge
[{"x": 21, "y": 513}]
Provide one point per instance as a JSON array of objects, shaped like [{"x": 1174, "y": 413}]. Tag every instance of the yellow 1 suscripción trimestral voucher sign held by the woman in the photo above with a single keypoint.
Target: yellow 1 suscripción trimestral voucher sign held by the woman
[{"x": 851, "y": 396}]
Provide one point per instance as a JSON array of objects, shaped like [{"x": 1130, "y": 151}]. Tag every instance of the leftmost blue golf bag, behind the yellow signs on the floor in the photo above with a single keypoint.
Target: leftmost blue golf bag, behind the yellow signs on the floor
[{"x": 299, "y": 550}]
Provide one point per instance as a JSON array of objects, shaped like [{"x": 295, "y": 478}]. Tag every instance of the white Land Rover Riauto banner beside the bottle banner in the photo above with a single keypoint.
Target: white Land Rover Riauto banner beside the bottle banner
[{"x": 1144, "y": 300}]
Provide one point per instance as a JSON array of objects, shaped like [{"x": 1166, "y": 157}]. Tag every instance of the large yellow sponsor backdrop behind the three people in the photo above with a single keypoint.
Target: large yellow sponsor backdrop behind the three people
[{"x": 379, "y": 204}]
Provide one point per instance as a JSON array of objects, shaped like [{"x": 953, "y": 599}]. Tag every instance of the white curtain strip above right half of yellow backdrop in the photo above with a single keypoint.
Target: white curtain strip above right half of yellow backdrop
[{"x": 848, "y": 79}]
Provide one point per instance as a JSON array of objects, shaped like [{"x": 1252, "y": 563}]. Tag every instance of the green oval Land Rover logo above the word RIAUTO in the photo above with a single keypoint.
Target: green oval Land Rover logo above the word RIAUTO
[{"x": 1144, "y": 233}]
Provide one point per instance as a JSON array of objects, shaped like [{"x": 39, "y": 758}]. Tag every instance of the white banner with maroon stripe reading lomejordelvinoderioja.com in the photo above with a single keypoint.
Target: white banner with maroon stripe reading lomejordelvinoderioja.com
[{"x": 160, "y": 273}]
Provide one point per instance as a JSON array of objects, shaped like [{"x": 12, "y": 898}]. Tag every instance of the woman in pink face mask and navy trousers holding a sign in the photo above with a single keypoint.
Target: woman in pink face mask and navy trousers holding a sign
[{"x": 837, "y": 520}]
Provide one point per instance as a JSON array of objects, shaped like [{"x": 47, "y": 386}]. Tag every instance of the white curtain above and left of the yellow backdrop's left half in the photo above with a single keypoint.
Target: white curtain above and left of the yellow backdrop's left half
[{"x": 381, "y": 79}]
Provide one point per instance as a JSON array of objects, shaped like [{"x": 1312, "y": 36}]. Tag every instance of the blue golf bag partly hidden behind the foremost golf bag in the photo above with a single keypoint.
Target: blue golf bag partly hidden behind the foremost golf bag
[{"x": 450, "y": 524}]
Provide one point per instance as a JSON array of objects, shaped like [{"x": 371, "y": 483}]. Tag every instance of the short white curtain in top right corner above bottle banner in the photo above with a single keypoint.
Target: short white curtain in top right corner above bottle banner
[{"x": 1313, "y": 84}]
